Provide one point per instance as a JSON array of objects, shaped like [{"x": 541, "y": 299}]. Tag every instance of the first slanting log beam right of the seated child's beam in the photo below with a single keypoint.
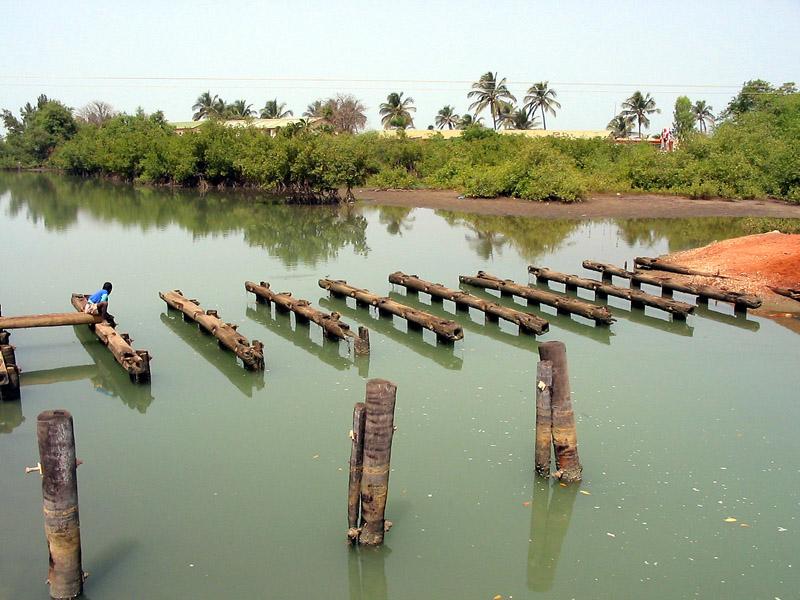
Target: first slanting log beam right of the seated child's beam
[{"x": 251, "y": 355}]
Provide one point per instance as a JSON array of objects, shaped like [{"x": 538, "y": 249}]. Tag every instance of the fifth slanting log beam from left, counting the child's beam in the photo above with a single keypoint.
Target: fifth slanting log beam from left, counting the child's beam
[{"x": 527, "y": 322}]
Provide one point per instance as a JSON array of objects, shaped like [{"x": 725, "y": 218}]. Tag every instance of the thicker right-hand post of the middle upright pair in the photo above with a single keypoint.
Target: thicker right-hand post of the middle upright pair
[{"x": 378, "y": 432}]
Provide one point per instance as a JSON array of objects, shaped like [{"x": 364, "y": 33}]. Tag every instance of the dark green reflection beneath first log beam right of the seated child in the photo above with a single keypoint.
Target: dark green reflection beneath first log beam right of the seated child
[{"x": 208, "y": 347}]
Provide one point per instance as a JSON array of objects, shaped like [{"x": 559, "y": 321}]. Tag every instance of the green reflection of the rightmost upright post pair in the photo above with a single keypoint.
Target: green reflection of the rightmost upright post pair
[{"x": 551, "y": 510}]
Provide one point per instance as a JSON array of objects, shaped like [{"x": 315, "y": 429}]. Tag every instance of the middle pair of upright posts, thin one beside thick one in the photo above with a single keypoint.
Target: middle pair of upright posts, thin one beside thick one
[{"x": 374, "y": 474}]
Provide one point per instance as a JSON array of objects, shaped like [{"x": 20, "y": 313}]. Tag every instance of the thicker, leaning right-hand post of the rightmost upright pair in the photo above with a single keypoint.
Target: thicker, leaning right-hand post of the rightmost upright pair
[{"x": 565, "y": 437}]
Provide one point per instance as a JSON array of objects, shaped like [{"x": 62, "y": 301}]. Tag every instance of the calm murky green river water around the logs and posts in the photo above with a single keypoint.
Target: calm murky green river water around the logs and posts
[{"x": 213, "y": 482}]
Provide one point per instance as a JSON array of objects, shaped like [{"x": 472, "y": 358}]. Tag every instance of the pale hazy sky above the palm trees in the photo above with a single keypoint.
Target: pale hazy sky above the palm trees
[{"x": 162, "y": 55}]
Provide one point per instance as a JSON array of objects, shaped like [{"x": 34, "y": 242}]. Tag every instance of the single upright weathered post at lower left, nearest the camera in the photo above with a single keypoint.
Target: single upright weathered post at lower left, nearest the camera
[{"x": 54, "y": 430}]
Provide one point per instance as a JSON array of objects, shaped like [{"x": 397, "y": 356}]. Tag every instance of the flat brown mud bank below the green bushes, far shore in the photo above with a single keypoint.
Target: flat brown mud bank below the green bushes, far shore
[{"x": 596, "y": 206}]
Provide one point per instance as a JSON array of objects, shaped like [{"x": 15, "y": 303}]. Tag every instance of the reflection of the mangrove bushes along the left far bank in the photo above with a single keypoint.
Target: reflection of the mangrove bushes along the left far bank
[{"x": 295, "y": 234}]
